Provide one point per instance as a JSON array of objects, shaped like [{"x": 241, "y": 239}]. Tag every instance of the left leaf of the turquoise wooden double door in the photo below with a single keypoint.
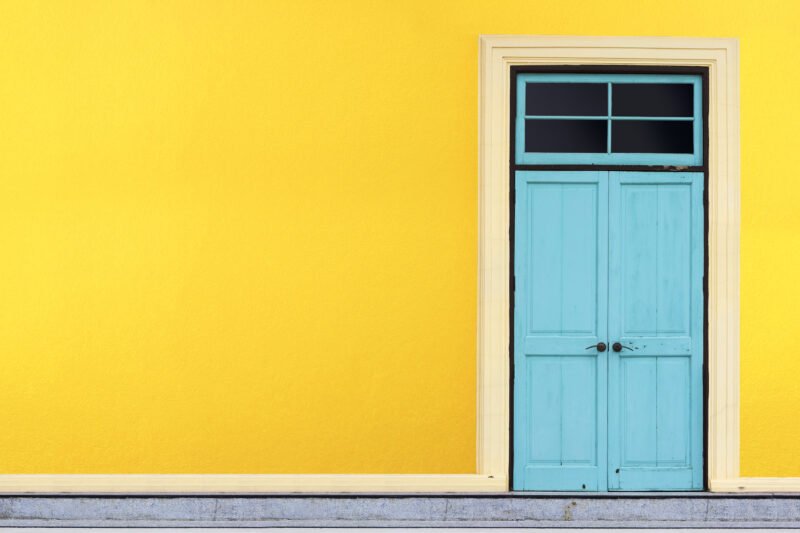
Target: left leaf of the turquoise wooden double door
[{"x": 560, "y": 303}]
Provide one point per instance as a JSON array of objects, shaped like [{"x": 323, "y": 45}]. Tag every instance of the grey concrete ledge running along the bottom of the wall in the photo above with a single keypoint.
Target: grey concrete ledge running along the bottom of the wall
[{"x": 506, "y": 510}]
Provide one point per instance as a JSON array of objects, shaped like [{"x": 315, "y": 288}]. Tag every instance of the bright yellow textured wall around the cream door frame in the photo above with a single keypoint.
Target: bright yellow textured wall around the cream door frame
[{"x": 241, "y": 236}]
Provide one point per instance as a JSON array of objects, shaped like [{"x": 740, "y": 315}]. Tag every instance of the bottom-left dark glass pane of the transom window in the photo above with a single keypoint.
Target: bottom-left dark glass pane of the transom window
[{"x": 566, "y": 136}]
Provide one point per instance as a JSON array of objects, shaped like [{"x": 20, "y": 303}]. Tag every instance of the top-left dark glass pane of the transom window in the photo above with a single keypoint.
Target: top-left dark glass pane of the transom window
[{"x": 571, "y": 99}]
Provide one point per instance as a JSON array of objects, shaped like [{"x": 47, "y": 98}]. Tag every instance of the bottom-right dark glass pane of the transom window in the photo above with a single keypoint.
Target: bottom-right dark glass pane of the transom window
[{"x": 652, "y": 136}]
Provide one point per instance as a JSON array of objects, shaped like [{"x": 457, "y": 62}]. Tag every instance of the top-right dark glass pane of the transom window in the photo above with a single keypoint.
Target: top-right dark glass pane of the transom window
[{"x": 652, "y": 100}]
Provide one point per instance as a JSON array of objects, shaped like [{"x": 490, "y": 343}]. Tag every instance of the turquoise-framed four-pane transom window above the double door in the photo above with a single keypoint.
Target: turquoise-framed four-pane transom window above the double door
[{"x": 634, "y": 119}]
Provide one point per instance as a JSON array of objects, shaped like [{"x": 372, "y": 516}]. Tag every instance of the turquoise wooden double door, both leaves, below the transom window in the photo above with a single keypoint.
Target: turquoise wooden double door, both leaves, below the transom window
[{"x": 608, "y": 331}]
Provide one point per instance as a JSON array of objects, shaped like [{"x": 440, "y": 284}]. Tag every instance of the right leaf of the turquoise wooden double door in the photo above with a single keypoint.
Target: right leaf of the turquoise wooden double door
[{"x": 656, "y": 312}]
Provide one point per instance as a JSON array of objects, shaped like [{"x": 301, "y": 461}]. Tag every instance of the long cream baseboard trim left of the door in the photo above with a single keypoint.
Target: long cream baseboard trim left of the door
[{"x": 247, "y": 483}]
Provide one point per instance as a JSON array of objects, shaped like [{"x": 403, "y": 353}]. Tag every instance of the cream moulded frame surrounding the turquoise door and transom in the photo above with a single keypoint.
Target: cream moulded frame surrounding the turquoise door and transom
[{"x": 721, "y": 56}]
